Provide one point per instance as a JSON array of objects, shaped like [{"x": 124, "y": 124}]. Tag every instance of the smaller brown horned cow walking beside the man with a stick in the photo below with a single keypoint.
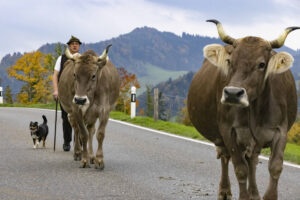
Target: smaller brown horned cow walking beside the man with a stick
[{"x": 88, "y": 89}]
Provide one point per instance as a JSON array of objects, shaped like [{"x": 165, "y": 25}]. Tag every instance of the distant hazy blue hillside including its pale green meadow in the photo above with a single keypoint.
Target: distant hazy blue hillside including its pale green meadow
[{"x": 154, "y": 56}]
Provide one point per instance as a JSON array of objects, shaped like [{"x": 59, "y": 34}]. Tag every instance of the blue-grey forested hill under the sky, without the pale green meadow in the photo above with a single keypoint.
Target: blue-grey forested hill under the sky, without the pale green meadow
[{"x": 148, "y": 45}]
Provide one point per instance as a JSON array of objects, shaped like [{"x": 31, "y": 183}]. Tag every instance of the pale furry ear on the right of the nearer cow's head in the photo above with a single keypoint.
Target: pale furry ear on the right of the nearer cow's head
[{"x": 280, "y": 62}]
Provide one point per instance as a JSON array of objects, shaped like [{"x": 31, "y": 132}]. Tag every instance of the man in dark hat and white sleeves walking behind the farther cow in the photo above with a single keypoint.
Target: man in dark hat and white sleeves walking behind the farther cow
[{"x": 73, "y": 45}]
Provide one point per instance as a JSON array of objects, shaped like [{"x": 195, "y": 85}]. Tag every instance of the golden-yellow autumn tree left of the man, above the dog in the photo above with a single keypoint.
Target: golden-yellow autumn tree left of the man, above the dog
[{"x": 35, "y": 70}]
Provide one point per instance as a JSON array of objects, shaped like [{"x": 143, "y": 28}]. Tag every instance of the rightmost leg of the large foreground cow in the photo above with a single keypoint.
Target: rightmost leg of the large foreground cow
[{"x": 275, "y": 166}]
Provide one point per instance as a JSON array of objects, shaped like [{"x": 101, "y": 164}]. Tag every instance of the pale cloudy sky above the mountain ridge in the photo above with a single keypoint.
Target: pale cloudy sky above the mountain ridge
[{"x": 25, "y": 25}]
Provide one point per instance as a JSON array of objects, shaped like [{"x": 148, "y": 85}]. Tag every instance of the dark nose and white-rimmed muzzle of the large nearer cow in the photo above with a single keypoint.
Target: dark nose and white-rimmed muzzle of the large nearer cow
[{"x": 235, "y": 96}]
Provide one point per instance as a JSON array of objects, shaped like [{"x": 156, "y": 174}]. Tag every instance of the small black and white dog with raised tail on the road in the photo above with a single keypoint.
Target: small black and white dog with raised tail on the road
[{"x": 39, "y": 132}]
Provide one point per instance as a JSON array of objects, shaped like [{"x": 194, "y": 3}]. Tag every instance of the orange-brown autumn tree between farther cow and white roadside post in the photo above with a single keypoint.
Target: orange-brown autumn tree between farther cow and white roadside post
[{"x": 127, "y": 81}]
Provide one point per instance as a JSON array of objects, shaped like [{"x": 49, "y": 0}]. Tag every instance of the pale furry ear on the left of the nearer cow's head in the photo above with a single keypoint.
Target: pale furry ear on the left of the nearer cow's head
[{"x": 217, "y": 55}]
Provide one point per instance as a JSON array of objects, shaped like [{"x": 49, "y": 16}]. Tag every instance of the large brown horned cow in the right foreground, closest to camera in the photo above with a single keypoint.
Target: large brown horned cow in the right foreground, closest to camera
[{"x": 244, "y": 99}]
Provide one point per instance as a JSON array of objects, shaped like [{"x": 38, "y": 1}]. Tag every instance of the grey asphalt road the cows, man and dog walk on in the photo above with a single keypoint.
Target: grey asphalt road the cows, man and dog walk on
[{"x": 139, "y": 164}]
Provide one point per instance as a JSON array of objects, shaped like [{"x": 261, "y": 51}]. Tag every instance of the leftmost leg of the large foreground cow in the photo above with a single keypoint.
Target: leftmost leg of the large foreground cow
[{"x": 224, "y": 186}]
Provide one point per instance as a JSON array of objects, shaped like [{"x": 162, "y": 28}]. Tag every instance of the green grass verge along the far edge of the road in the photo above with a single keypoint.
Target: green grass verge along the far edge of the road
[{"x": 291, "y": 153}]
